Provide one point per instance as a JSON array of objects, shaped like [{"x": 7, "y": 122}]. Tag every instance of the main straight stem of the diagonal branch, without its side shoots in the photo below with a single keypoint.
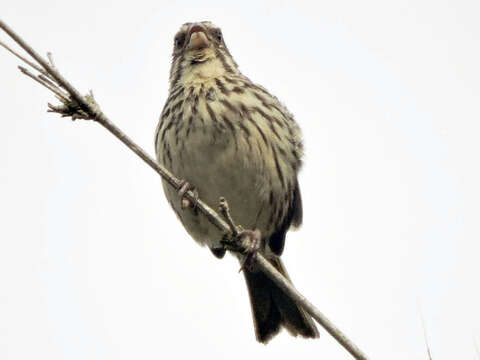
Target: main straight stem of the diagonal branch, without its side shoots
[{"x": 89, "y": 106}]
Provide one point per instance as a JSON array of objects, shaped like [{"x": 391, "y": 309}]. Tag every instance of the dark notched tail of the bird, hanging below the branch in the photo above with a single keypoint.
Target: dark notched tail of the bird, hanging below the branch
[{"x": 272, "y": 309}]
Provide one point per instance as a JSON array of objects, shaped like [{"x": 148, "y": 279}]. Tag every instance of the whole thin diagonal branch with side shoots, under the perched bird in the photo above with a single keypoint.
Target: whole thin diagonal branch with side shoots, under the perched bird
[{"x": 78, "y": 106}]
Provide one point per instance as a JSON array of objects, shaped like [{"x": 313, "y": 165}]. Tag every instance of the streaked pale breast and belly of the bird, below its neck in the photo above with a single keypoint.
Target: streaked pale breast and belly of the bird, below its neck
[{"x": 225, "y": 146}]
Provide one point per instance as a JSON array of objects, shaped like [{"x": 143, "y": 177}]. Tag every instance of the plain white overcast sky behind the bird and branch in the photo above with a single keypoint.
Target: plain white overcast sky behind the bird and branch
[{"x": 94, "y": 264}]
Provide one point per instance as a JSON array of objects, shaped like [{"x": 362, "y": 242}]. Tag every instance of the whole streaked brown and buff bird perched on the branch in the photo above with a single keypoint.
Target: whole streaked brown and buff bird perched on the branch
[{"x": 226, "y": 136}]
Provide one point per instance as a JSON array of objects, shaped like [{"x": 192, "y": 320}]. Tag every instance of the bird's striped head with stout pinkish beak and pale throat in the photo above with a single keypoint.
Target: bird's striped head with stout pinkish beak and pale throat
[{"x": 199, "y": 54}]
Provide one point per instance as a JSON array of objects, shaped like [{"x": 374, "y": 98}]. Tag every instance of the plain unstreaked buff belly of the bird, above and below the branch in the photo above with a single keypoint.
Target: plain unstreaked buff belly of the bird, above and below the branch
[{"x": 217, "y": 166}]
